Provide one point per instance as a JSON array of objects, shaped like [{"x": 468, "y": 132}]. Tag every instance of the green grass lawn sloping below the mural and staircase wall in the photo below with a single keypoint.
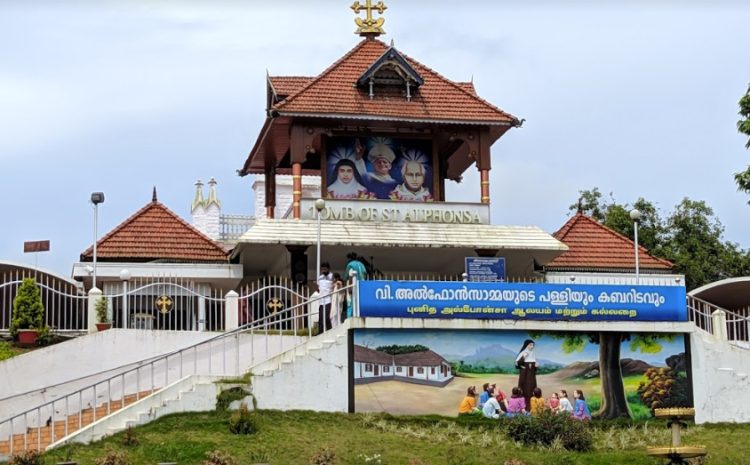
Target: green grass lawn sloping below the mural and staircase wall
[{"x": 292, "y": 438}]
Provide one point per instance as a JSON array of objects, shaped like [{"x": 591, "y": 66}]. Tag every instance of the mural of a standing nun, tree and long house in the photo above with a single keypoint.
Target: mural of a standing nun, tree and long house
[{"x": 418, "y": 372}]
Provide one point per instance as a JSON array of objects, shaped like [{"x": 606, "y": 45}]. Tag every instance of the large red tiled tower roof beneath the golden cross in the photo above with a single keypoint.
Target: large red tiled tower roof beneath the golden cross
[{"x": 333, "y": 93}]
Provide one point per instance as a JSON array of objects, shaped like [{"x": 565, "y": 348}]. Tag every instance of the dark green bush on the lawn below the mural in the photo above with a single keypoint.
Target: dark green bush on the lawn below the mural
[{"x": 548, "y": 428}]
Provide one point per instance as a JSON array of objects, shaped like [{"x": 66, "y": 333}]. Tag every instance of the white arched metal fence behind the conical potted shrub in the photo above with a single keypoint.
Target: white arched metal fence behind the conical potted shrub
[{"x": 65, "y": 305}]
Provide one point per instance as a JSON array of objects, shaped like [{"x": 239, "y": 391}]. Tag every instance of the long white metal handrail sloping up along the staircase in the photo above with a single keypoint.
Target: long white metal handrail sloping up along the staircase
[{"x": 264, "y": 324}]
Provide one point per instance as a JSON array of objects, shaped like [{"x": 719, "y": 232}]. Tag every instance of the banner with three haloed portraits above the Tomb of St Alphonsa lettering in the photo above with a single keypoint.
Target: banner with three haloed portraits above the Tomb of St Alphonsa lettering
[{"x": 383, "y": 168}]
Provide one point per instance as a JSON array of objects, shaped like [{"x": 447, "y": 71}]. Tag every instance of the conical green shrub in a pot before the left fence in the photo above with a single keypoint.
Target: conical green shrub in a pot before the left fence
[{"x": 28, "y": 314}]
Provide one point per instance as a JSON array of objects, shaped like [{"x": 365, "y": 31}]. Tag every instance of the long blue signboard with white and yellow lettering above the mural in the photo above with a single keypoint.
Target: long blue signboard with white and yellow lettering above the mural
[{"x": 521, "y": 301}]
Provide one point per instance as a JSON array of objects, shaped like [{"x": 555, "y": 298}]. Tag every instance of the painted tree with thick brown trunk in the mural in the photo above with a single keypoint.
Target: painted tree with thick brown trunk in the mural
[{"x": 614, "y": 401}]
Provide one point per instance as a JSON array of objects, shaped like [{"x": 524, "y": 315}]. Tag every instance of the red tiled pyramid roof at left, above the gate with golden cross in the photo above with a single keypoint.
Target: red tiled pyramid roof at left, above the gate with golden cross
[{"x": 156, "y": 233}]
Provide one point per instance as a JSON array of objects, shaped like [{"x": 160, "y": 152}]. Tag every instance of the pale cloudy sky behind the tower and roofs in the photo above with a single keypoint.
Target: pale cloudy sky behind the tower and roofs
[{"x": 639, "y": 100}]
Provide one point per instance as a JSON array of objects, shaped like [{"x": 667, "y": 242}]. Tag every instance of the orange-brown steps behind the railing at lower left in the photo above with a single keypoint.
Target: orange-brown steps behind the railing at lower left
[{"x": 39, "y": 438}]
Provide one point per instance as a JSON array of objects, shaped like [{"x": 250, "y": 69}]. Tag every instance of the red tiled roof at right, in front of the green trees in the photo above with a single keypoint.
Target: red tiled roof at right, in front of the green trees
[{"x": 593, "y": 246}]
